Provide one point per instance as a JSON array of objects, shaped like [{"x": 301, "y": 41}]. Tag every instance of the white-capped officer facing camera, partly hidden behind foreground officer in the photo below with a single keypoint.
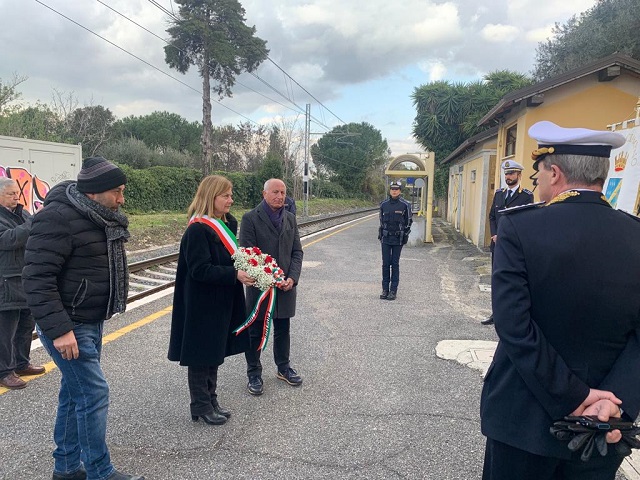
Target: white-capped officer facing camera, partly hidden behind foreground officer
[{"x": 513, "y": 195}]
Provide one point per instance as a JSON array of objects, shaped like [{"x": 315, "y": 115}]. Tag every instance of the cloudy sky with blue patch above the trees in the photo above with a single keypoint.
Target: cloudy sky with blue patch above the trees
[{"x": 360, "y": 59}]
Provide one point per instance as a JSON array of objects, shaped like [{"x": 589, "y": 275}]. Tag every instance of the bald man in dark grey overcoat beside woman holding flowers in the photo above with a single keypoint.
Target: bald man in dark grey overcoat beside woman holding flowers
[{"x": 274, "y": 231}]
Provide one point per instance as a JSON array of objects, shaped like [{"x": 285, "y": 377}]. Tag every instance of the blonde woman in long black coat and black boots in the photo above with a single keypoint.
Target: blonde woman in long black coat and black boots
[{"x": 208, "y": 303}]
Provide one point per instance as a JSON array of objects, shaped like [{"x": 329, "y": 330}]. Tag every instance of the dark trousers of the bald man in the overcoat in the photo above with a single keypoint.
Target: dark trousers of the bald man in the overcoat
[{"x": 281, "y": 345}]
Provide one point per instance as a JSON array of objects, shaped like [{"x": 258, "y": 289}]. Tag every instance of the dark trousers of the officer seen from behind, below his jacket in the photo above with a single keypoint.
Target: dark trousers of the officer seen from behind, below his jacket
[{"x": 503, "y": 462}]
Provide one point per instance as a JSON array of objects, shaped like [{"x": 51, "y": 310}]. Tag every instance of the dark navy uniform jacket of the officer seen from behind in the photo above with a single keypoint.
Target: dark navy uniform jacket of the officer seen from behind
[{"x": 566, "y": 306}]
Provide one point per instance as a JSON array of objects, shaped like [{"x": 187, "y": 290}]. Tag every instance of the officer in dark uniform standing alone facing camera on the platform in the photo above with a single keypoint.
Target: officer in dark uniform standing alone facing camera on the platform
[{"x": 395, "y": 225}]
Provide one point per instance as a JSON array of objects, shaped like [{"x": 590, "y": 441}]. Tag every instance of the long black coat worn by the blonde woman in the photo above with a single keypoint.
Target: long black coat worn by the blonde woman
[{"x": 208, "y": 303}]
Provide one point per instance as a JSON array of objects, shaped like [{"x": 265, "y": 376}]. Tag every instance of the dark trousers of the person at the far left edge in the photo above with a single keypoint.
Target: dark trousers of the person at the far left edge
[{"x": 16, "y": 328}]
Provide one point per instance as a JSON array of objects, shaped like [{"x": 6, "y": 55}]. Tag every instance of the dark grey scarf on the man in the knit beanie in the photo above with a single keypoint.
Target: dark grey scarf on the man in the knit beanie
[{"x": 115, "y": 226}]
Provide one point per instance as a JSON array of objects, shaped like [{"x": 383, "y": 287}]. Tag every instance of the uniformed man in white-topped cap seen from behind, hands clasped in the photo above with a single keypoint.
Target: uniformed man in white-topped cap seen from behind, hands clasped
[{"x": 566, "y": 303}]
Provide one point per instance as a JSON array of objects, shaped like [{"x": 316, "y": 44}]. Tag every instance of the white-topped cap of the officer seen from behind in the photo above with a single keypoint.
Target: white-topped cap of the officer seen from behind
[{"x": 554, "y": 139}]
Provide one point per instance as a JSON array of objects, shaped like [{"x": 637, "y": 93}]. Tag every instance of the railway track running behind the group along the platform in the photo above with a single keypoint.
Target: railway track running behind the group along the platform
[{"x": 150, "y": 276}]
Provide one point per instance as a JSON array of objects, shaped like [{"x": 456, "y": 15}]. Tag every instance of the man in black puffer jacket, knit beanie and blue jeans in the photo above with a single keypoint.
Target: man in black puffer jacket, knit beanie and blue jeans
[{"x": 76, "y": 277}]
